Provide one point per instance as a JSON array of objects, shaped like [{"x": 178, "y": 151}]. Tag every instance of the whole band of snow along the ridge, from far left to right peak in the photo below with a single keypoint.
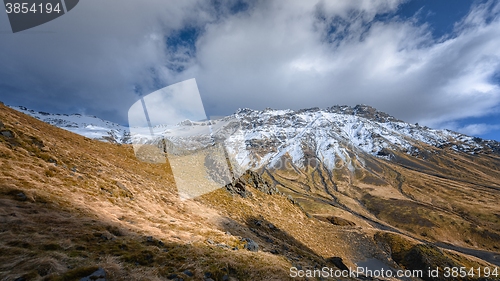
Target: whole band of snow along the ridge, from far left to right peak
[{"x": 257, "y": 138}]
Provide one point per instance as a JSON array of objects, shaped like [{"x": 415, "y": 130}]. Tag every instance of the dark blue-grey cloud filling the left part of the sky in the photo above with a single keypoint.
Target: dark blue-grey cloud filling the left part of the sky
[{"x": 91, "y": 59}]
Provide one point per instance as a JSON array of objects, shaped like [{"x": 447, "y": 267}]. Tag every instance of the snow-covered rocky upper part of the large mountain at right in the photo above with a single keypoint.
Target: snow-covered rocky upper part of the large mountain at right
[{"x": 333, "y": 132}]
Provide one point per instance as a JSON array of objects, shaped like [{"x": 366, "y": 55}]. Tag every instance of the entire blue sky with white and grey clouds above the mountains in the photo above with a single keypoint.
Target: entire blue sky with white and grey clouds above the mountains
[{"x": 432, "y": 62}]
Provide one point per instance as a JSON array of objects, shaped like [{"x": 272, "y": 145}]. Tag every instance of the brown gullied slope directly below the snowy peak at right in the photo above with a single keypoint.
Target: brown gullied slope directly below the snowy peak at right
[{"x": 439, "y": 196}]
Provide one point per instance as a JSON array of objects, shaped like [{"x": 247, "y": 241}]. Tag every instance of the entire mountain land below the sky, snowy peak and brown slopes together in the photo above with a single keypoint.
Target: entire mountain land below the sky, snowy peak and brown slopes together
[{"x": 341, "y": 187}]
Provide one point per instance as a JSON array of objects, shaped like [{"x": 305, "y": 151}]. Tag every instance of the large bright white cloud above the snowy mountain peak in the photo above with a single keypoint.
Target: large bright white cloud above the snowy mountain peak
[{"x": 279, "y": 56}]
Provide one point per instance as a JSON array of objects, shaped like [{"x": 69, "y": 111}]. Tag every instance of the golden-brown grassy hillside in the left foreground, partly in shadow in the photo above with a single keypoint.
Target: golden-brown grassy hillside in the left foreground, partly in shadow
[{"x": 69, "y": 204}]
